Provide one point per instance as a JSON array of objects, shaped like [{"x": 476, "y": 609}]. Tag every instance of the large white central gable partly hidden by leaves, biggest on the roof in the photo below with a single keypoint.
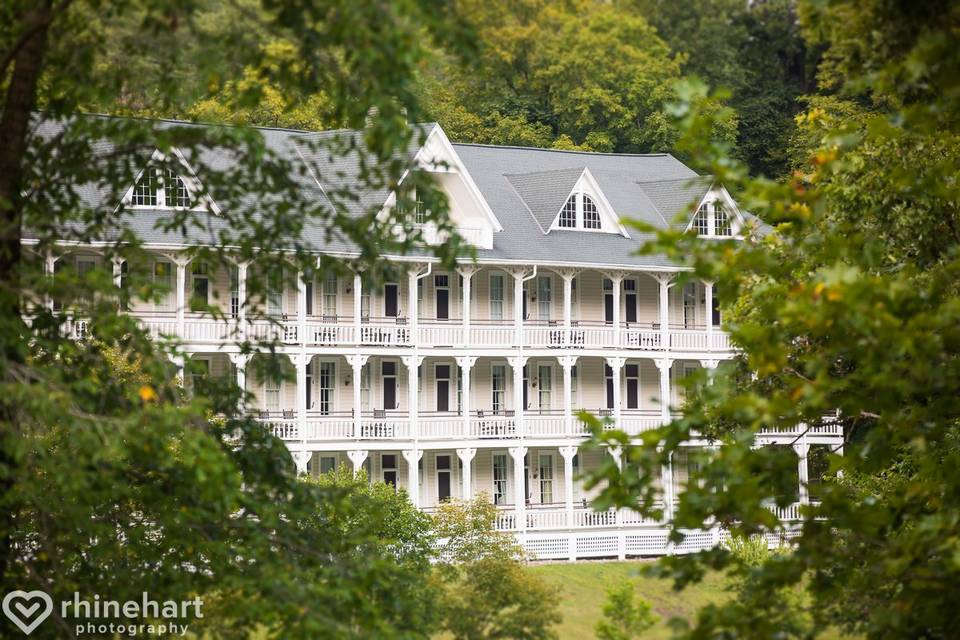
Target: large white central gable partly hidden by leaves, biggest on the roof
[{"x": 468, "y": 210}]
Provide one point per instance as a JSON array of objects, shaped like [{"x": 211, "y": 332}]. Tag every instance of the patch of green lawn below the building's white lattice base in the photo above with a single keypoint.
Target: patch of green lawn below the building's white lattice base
[{"x": 583, "y": 588}]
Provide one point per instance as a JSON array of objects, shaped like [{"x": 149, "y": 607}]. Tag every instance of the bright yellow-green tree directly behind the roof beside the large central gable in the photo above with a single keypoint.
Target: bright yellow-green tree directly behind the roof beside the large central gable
[{"x": 576, "y": 74}]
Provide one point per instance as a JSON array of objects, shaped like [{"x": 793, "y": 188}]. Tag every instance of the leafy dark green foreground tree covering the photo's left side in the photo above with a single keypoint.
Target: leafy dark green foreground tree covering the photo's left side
[{"x": 113, "y": 479}]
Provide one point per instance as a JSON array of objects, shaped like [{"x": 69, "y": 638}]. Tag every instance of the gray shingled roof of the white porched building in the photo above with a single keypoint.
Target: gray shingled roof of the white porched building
[{"x": 524, "y": 187}]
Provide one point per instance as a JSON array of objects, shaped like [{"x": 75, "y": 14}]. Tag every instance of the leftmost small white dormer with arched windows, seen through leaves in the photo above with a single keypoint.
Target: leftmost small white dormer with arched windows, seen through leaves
[{"x": 164, "y": 184}]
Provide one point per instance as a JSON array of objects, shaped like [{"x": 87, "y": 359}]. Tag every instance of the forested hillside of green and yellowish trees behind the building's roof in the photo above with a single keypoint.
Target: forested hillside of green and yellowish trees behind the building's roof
[{"x": 577, "y": 74}]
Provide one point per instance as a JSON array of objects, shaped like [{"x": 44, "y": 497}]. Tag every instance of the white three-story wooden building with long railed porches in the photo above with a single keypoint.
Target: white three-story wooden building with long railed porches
[{"x": 455, "y": 383}]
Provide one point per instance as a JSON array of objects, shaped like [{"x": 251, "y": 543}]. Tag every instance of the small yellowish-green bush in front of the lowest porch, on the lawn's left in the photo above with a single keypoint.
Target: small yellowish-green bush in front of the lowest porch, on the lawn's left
[{"x": 487, "y": 591}]
